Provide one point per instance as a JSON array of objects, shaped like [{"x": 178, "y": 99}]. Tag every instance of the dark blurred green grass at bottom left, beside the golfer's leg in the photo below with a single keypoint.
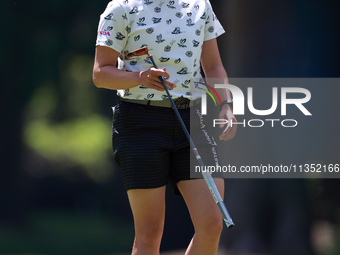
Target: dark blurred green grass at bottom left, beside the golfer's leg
[{"x": 65, "y": 232}]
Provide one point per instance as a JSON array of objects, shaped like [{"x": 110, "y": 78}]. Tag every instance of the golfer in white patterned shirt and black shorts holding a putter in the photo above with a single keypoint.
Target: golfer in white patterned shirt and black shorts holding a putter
[{"x": 148, "y": 142}]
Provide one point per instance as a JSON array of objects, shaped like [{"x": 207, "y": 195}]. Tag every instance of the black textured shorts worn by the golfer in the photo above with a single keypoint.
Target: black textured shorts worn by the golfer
[{"x": 151, "y": 147}]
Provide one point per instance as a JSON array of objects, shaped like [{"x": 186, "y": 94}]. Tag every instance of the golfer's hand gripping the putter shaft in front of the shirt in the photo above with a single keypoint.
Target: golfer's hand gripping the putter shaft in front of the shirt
[{"x": 150, "y": 79}]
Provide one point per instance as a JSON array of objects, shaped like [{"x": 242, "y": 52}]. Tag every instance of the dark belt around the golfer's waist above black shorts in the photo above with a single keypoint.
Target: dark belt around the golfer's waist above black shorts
[{"x": 180, "y": 103}]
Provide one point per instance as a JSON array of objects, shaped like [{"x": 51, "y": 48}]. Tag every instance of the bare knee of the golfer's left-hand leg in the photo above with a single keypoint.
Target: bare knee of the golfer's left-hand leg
[{"x": 150, "y": 235}]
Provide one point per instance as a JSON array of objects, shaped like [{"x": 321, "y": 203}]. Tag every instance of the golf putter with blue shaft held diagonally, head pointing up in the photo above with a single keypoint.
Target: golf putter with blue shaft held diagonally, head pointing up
[{"x": 206, "y": 175}]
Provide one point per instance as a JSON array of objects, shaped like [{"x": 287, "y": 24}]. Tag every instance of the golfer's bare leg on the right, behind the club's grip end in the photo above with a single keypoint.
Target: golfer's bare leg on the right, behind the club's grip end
[{"x": 205, "y": 216}]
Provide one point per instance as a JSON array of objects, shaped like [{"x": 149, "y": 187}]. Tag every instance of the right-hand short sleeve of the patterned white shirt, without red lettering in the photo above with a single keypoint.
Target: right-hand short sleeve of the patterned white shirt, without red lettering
[{"x": 213, "y": 27}]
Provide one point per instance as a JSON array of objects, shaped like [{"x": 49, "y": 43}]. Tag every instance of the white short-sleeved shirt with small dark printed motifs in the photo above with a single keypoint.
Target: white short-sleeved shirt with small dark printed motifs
[{"x": 173, "y": 31}]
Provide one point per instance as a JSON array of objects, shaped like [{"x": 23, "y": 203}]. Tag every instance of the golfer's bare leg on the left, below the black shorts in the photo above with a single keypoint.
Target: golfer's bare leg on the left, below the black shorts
[{"x": 148, "y": 209}]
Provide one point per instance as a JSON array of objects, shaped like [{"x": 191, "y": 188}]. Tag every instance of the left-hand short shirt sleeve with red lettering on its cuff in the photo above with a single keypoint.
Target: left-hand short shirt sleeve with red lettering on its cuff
[{"x": 111, "y": 28}]
